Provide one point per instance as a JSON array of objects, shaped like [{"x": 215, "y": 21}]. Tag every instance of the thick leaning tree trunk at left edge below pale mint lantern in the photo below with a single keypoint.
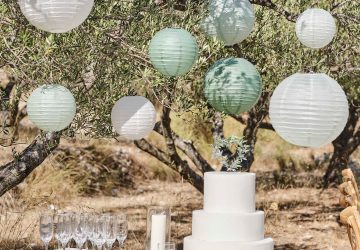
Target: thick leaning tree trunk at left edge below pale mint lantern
[{"x": 13, "y": 173}]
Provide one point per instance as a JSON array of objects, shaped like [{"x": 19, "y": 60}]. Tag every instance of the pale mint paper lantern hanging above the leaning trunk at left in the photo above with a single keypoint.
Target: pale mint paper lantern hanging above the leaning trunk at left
[{"x": 51, "y": 107}]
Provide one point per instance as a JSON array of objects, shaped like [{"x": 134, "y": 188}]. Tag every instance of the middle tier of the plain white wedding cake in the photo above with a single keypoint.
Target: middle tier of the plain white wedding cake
[{"x": 228, "y": 226}]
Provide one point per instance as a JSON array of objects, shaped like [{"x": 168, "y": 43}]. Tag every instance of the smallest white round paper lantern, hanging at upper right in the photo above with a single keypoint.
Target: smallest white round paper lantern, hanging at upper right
[{"x": 315, "y": 28}]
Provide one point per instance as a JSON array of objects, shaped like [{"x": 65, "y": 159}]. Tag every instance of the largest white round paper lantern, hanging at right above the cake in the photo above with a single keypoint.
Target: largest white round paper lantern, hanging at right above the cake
[{"x": 309, "y": 110}]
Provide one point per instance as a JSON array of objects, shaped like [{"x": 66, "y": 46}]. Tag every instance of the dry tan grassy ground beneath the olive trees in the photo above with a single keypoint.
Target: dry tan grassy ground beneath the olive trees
[{"x": 298, "y": 216}]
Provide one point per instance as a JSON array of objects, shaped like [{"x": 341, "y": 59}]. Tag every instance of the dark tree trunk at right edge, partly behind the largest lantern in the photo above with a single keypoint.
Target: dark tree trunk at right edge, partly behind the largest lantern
[{"x": 344, "y": 146}]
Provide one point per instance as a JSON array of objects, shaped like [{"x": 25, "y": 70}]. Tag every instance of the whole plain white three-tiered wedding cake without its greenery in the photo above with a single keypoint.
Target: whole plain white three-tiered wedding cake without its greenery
[{"x": 229, "y": 220}]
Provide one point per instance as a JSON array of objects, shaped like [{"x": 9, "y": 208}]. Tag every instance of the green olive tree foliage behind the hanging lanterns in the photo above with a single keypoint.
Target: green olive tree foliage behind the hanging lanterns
[{"x": 106, "y": 58}]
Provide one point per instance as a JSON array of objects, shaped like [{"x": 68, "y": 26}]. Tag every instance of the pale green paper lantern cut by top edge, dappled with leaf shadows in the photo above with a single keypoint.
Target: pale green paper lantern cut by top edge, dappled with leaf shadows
[{"x": 230, "y": 21}]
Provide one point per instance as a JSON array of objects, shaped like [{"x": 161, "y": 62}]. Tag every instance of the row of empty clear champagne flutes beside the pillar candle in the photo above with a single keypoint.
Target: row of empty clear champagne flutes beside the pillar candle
[{"x": 102, "y": 230}]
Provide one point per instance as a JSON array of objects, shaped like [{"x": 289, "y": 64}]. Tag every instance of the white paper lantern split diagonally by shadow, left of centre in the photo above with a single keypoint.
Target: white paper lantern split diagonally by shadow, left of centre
[{"x": 133, "y": 117}]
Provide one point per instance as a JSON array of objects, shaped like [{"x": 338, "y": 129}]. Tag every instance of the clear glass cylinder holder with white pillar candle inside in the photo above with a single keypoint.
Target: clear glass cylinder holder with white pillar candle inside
[{"x": 158, "y": 227}]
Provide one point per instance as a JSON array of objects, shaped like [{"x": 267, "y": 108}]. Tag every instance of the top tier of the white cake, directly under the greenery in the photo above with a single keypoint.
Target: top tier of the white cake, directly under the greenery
[{"x": 229, "y": 192}]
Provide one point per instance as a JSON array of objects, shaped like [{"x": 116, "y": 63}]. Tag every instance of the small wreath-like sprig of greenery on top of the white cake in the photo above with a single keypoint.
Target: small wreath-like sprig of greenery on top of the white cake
[{"x": 239, "y": 147}]
